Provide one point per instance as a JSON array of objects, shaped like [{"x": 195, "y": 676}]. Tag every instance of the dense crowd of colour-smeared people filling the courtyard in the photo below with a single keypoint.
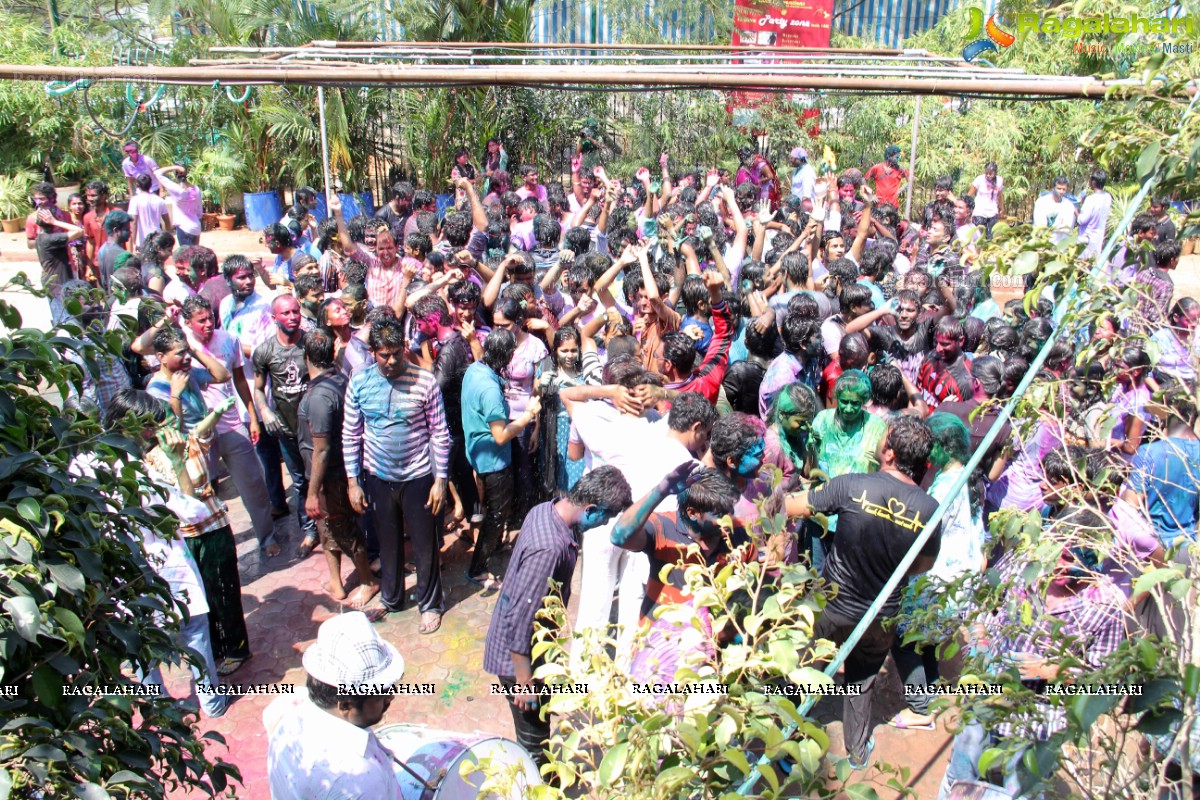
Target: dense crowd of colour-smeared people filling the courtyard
[{"x": 609, "y": 371}]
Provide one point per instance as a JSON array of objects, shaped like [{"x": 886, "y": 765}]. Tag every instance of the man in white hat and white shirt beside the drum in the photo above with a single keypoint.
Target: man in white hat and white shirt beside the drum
[{"x": 322, "y": 748}]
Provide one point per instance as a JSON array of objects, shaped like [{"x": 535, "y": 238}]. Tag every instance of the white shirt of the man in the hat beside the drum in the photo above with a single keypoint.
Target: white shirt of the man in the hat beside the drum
[{"x": 314, "y": 755}]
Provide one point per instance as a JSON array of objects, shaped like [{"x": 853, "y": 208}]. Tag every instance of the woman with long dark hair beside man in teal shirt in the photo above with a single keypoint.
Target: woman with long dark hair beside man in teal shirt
[{"x": 556, "y": 372}]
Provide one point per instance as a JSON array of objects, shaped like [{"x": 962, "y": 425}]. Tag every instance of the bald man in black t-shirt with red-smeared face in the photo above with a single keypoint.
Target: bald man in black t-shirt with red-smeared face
[{"x": 281, "y": 359}]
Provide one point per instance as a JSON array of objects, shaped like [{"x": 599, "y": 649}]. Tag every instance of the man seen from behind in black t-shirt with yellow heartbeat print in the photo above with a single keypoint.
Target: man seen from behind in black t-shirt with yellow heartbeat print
[{"x": 880, "y": 516}]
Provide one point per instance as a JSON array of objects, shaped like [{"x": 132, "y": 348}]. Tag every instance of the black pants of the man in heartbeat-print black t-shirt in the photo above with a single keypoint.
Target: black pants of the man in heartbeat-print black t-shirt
[{"x": 862, "y": 669}]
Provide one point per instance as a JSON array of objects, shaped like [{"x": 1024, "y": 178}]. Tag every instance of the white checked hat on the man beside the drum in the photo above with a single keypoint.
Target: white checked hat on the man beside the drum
[{"x": 350, "y": 651}]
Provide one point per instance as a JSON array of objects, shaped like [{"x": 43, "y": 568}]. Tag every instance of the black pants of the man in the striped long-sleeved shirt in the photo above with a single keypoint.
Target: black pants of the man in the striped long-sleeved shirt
[{"x": 398, "y": 508}]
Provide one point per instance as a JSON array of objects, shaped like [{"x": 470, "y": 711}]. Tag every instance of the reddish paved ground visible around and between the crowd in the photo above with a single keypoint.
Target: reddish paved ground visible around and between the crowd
[{"x": 285, "y": 603}]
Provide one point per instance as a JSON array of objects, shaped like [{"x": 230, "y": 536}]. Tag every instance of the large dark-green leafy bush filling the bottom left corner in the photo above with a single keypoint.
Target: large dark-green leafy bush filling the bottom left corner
[{"x": 81, "y": 604}]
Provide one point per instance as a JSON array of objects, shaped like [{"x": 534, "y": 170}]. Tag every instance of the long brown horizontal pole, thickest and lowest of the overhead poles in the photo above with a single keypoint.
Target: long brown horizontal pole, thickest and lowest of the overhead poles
[{"x": 561, "y": 76}]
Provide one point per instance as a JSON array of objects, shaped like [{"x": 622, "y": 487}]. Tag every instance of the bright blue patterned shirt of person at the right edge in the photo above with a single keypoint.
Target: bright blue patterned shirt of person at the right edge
[{"x": 1162, "y": 474}]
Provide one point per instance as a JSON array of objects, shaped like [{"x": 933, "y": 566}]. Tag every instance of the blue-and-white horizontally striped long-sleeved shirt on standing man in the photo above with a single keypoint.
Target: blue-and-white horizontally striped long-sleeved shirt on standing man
[{"x": 395, "y": 430}]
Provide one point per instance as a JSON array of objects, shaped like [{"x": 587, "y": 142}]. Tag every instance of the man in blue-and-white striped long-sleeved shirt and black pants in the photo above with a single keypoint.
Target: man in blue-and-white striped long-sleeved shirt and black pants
[{"x": 398, "y": 455}]
